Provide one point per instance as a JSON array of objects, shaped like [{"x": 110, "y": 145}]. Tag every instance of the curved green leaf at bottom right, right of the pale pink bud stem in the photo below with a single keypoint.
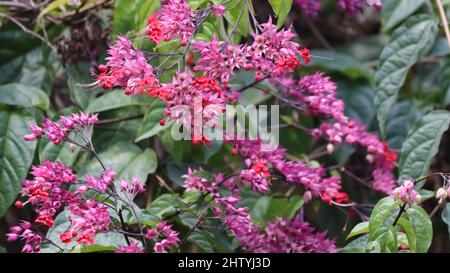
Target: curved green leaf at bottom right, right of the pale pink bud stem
[{"x": 422, "y": 225}]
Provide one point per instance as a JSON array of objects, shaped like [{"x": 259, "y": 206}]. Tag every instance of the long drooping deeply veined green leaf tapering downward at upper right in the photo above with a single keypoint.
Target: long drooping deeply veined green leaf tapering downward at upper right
[{"x": 411, "y": 40}]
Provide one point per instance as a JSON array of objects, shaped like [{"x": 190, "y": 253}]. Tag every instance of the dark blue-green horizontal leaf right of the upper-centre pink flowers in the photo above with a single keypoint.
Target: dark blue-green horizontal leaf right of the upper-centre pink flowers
[{"x": 339, "y": 62}]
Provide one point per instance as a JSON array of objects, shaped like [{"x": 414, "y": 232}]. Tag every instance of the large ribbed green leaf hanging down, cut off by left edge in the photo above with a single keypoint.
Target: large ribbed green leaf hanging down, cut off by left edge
[{"x": 16, "y": 154}]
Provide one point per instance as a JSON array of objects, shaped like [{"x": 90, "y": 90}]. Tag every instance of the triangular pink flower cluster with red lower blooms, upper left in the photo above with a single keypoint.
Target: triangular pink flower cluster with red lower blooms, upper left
[{"x": 128, "y": 68}]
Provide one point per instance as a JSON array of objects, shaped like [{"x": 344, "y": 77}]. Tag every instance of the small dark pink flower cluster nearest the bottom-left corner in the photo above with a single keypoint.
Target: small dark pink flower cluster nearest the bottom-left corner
[{"x": 23, "y": 231}]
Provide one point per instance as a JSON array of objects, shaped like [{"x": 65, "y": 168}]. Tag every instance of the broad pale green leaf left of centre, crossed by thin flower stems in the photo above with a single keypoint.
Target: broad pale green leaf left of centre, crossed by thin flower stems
[{"x": 127, "y": 159}]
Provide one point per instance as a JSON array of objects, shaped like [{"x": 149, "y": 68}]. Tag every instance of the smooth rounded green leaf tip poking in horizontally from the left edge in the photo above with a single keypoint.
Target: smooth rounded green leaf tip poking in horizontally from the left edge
[{"x": 25, "y": 96}]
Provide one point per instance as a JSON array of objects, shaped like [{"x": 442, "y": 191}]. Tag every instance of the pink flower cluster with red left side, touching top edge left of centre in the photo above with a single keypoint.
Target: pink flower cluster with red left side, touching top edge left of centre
[{"x": 175, "y": 19}]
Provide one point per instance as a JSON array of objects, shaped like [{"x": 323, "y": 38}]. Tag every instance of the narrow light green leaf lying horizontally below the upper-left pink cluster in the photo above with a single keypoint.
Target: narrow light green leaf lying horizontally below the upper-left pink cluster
[{"x": 115, "y": 99}]
